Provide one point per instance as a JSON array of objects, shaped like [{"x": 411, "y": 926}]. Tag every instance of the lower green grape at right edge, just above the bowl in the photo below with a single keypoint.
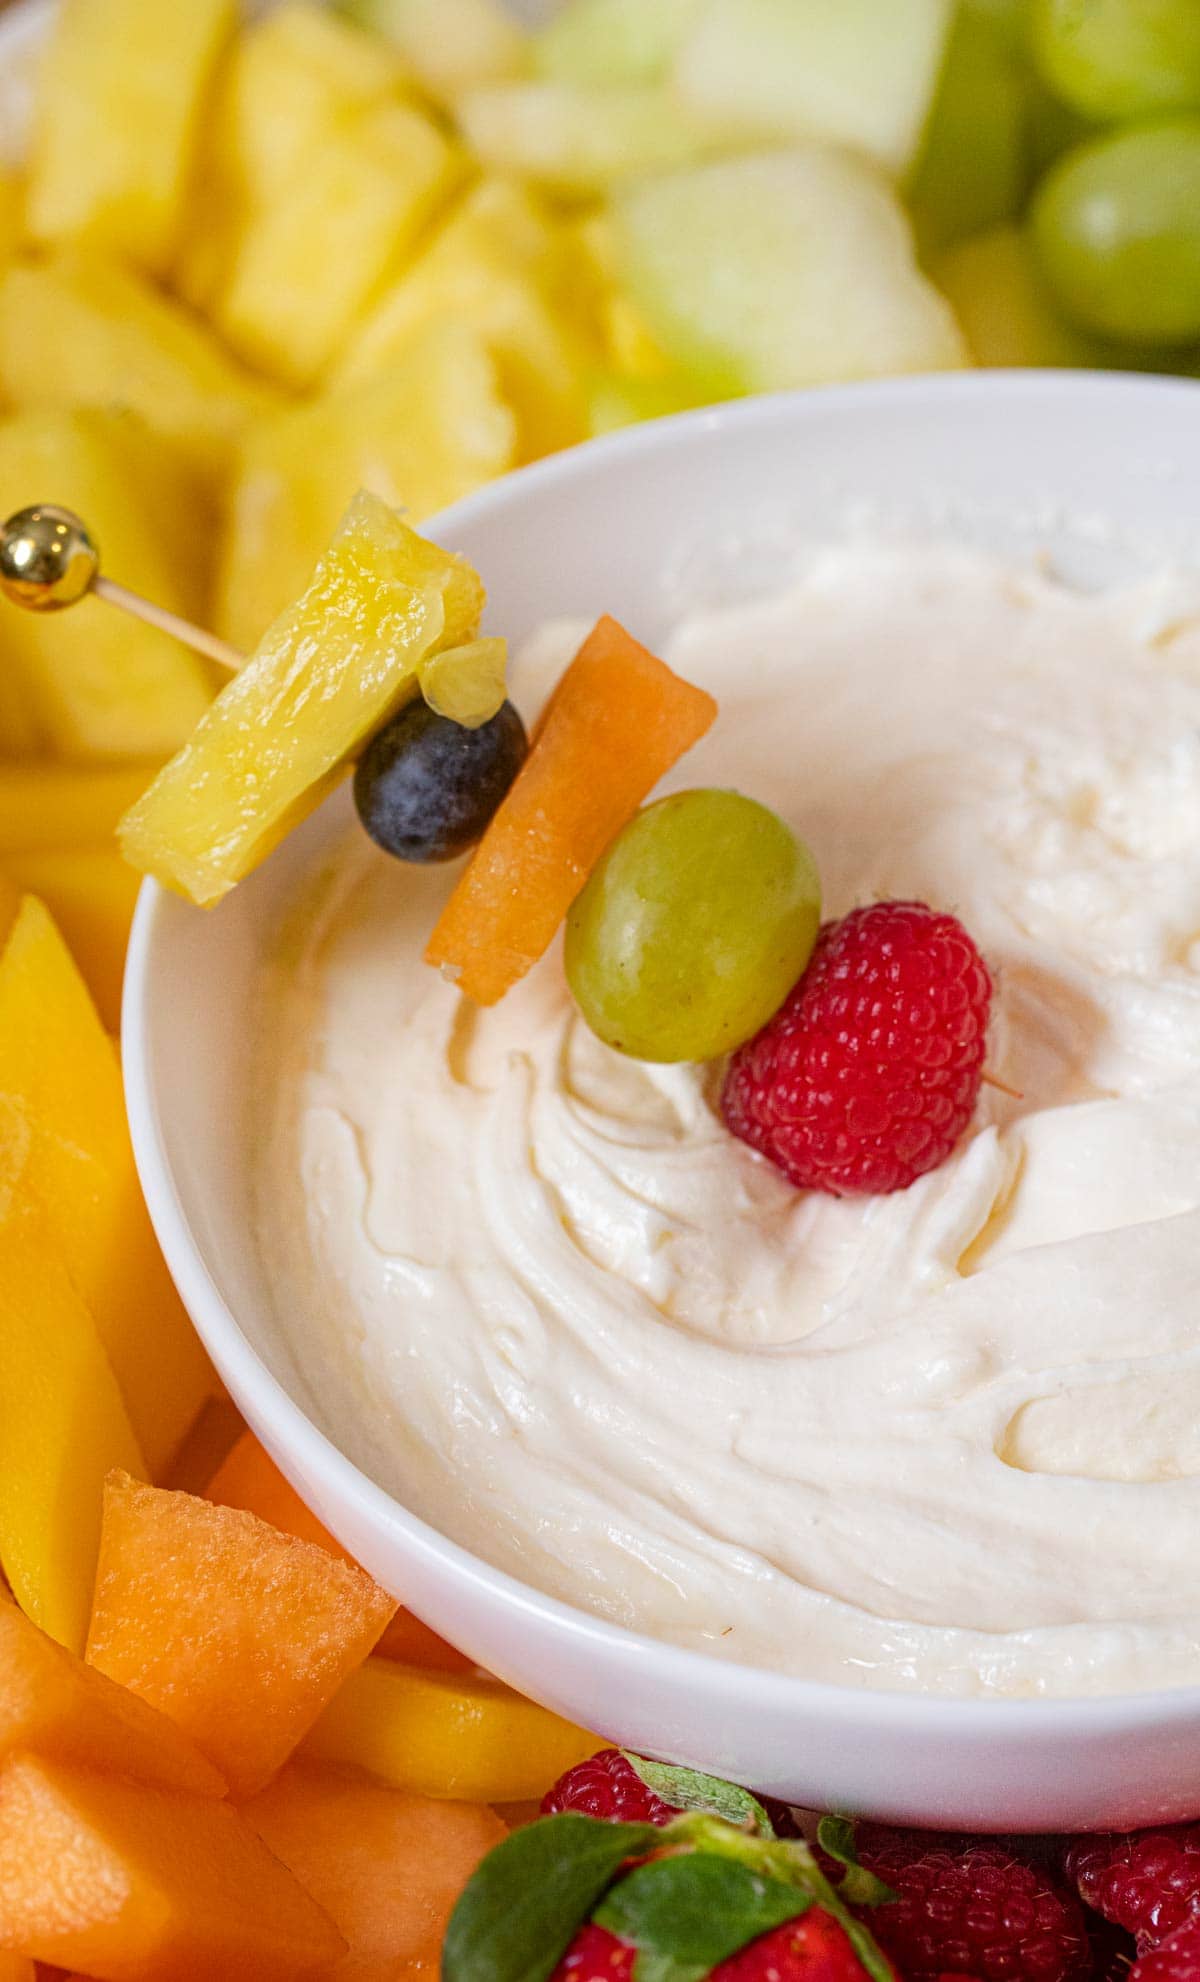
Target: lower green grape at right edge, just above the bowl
[{"x": 1118, "y": 233}]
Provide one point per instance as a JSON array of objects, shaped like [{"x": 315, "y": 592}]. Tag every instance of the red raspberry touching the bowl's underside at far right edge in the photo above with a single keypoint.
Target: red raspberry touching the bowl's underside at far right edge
[{"x": 1145, "y": 1882}]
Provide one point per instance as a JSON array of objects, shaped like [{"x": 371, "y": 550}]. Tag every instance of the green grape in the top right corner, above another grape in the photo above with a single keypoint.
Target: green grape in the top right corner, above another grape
[{"x": 1120, "y": 58}]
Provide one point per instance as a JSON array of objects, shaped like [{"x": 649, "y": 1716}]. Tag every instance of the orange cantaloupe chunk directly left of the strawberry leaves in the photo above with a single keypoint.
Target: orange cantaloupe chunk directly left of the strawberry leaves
[{"x": 384, "y": 1864}]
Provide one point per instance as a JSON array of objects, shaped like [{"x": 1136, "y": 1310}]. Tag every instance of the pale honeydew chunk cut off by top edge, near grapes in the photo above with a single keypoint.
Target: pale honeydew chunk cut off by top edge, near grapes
[{"x": 858, "y": 72}]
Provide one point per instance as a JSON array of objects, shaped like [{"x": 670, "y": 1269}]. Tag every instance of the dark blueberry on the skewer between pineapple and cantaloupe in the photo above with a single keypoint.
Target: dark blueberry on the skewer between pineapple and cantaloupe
[{"x": 427, "y": 788}]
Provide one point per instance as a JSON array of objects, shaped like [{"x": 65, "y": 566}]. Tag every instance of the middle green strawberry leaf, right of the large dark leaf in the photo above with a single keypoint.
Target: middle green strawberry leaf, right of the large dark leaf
[{"x": 693, "y": 1912}]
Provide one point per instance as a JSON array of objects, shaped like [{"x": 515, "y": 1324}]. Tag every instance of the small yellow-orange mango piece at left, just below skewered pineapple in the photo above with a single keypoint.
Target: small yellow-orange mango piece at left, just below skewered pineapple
[{"x": 92, "y": 895}]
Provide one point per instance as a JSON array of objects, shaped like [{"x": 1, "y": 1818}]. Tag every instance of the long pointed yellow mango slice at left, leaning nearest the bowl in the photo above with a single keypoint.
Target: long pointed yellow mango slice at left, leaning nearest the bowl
[{"x": 64, "y": 1151}]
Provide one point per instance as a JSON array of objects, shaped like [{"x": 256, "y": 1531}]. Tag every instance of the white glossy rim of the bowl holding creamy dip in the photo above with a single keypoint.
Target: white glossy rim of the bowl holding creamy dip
[{"x": 1020, "y": 1721}]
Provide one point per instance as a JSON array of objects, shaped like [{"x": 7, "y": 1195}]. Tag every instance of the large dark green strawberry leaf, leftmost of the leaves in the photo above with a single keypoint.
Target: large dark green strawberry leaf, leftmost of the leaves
[{"x": 527, "y": 1902}]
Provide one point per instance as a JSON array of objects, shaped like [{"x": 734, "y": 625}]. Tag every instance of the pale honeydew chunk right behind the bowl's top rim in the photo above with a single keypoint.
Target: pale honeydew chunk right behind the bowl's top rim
[{"x": 782, "y": 271}]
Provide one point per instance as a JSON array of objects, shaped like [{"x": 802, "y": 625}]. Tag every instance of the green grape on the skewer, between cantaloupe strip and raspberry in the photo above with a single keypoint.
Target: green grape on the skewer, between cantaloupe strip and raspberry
[{"x": 693, "y": 929}]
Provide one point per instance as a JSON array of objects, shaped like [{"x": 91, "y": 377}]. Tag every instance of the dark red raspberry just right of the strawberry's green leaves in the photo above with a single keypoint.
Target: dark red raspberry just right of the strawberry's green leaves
[{"x": 973, "y": 1908}]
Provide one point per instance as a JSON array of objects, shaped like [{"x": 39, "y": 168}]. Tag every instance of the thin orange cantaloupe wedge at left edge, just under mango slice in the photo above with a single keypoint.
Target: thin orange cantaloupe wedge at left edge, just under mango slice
[{"x": 64, "y": 1711}]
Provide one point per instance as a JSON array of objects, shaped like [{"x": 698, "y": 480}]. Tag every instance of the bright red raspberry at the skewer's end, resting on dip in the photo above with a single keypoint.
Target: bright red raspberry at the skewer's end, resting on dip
[{"x": 870, "y": 1071}]
